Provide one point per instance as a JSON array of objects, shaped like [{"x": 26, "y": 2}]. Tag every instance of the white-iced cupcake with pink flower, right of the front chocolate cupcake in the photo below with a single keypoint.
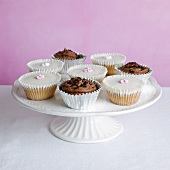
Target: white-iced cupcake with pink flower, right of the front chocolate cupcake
[{"x": 123, "y": 90}]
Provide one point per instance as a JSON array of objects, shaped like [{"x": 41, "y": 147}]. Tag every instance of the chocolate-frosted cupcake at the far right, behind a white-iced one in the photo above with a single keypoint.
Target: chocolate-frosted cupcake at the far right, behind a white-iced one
[{"x": 134, "y": 69}]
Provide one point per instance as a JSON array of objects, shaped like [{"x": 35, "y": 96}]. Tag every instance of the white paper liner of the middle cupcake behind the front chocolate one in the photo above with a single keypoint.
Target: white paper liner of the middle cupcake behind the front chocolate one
[{"x": 99, "y": 77}]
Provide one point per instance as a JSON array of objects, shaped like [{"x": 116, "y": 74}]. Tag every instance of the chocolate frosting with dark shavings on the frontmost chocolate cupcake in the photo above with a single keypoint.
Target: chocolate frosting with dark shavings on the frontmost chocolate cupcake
[{"x": 78, "y": 85}]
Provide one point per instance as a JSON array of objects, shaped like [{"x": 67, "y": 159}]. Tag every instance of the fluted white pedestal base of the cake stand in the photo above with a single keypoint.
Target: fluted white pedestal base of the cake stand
[{"x": 92, "y": 129}]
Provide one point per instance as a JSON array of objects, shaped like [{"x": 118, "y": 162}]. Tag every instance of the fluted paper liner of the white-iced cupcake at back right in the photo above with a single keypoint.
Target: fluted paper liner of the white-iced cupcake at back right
[{"x": 109, "y": 64}]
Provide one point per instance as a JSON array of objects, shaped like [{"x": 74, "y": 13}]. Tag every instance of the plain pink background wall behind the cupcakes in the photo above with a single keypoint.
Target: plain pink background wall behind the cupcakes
[{"x": 34, "y": 29}]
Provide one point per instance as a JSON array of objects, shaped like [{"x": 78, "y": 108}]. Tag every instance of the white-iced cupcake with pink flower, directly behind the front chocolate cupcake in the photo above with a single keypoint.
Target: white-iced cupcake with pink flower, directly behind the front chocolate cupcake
[{"x": 88, "y": 71}]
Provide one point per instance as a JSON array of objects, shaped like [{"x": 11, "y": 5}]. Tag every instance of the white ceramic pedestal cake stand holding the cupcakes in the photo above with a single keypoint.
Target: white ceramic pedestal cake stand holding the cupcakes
[{"x": 87, "y": 126}]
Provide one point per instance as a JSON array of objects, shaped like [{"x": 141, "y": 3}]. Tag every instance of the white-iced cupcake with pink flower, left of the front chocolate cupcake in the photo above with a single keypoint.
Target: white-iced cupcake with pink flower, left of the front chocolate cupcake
[{"x": 39, "y": 85}]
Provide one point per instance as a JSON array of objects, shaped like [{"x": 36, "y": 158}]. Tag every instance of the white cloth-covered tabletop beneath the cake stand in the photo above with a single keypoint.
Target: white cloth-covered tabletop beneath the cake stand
[{"x": 27, "y": 144}]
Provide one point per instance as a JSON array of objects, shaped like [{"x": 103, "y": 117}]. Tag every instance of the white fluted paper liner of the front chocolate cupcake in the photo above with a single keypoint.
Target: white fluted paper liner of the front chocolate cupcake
[{"x": 80, "y": 101}]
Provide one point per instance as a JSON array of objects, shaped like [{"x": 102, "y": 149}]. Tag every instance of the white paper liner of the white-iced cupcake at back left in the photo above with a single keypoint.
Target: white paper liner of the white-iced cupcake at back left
[{"x": 58, "y": 68}]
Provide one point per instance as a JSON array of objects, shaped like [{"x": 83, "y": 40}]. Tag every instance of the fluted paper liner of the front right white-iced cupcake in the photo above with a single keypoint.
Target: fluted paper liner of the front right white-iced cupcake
[{"x": 123, "y": 97}]
